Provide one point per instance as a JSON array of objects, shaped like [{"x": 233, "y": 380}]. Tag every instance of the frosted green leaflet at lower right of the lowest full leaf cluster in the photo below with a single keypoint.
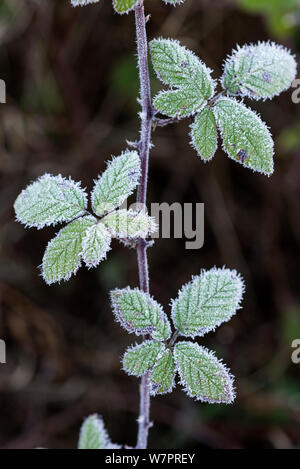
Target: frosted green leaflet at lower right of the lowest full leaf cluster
[{"x": 202, "y": 375}]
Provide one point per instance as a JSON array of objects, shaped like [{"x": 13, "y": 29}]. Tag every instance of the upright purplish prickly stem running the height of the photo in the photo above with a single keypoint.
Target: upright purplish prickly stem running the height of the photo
[{"x": 144, "y": 148}]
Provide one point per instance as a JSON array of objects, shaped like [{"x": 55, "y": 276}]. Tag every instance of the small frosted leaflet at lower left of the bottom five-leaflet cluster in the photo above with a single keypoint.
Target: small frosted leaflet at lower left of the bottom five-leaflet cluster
[{"x": 141, "y": 358}]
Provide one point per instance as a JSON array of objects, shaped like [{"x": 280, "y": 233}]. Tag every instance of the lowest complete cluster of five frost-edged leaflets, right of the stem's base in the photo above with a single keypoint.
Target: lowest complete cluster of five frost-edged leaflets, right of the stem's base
[{"x": 203, "y": 304}]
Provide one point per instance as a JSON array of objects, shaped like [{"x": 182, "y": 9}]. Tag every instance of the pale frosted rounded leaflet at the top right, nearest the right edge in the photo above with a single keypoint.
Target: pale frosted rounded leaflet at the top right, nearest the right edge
[{"x": 259, "y": 71}]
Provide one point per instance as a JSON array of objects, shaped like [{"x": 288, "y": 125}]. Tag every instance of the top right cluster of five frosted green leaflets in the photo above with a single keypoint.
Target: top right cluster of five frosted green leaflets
[{"x": 257, "y": 71}]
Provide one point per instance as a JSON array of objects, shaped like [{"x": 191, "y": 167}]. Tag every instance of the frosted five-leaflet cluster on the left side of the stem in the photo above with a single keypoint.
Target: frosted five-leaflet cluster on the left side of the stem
[{"x": 53, "y": 199}]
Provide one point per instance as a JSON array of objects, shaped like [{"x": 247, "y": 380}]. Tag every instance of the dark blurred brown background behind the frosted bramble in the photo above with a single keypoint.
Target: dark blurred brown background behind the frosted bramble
[{"x": 72, "y": 84}]
